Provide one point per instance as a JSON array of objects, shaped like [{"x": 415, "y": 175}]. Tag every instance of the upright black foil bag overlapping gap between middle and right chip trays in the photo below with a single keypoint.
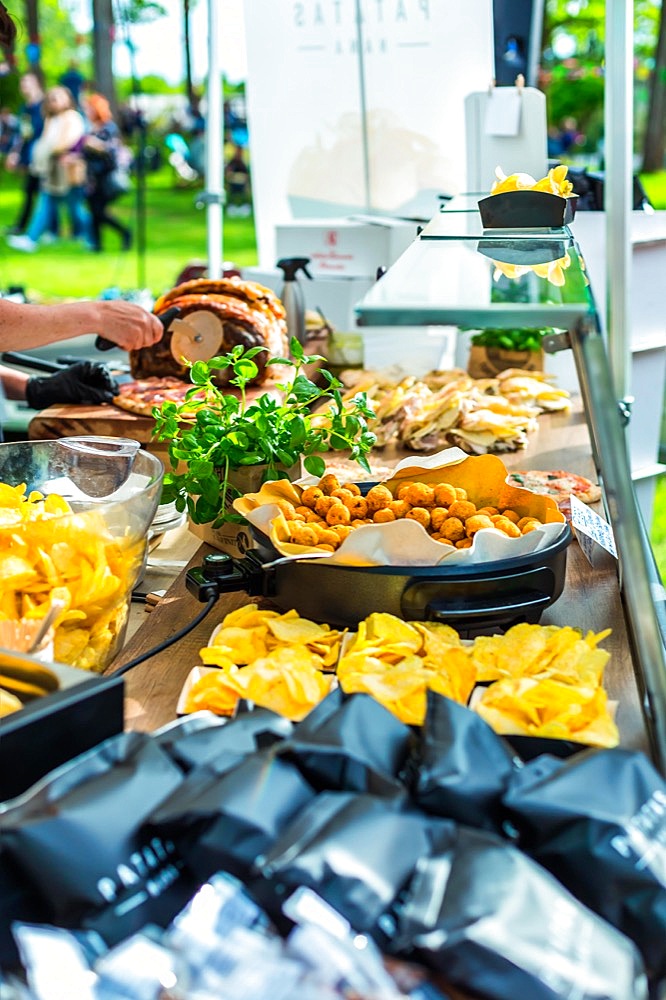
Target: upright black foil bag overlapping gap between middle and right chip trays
[{"x": 460, "y": 767}]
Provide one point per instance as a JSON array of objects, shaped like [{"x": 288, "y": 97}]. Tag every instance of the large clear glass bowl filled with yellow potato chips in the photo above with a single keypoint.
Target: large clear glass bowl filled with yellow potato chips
[{"x": 74, "y": 520}]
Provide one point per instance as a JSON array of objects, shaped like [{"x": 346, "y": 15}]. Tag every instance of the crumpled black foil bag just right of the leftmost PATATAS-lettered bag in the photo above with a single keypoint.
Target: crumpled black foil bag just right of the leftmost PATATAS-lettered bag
[{"x": 222, "y": 822}]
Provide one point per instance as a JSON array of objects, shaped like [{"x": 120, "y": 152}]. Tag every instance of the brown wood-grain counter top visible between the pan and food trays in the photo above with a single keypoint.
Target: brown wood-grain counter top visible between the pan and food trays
[{"x": 590, "y": 601}]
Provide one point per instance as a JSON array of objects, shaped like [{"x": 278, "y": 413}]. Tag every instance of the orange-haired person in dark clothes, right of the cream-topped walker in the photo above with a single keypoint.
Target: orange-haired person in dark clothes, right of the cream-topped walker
[{"x": 101, "y": 148}]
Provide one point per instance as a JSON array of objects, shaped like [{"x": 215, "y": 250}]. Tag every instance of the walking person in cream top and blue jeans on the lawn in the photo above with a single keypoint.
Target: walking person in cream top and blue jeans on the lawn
[{"x": 57, "y": 161}]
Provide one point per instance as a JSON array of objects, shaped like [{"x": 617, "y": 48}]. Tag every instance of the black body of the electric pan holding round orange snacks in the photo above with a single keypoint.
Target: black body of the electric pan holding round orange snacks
[{"x": 472, "y": 599}]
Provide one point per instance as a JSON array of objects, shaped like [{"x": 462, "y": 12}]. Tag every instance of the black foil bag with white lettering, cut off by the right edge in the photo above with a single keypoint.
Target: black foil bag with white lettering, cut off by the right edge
[{"x": 598, "y": 822}]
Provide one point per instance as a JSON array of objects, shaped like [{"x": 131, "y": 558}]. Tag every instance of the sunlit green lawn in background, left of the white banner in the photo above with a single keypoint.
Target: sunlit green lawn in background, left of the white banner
[{"x": 175, "y": 236}]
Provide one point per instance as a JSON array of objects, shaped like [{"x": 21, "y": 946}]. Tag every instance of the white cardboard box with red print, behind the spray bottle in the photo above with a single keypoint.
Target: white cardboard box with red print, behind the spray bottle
[{"x": 350, "y": 247}]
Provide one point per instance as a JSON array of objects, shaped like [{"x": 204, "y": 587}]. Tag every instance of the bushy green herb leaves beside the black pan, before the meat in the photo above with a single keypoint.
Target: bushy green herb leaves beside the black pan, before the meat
[{"x": 214, "y": 434}]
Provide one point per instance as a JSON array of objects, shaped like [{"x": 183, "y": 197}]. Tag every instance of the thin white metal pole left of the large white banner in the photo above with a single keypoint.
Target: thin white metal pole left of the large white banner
[{"x": 214, "y": 146}]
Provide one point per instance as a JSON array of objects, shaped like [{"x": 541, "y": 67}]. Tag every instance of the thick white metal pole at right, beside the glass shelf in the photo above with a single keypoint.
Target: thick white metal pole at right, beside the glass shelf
[{"x": 618, "y": 200}]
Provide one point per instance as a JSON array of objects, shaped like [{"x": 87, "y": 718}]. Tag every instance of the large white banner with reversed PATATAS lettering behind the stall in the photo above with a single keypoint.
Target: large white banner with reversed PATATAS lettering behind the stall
[{"x": 347, "y": 117}]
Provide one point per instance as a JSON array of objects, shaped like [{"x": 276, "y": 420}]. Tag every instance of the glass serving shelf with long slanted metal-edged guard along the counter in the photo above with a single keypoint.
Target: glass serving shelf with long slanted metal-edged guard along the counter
[{"x": 453, "y": 274}]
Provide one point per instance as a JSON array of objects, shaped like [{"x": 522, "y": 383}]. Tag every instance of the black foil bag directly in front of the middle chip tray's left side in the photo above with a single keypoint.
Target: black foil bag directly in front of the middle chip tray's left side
[{"x": 350, "y": 743}]
